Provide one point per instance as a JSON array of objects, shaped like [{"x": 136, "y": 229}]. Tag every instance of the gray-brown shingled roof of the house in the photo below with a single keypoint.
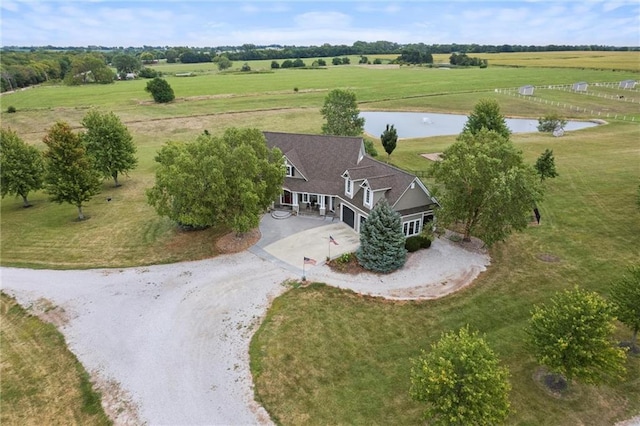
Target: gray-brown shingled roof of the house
[{"x": 323, "y": 159}]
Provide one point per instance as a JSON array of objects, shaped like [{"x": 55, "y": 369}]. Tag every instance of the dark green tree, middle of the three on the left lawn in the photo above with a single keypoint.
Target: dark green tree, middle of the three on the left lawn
[{"x": 70, "y": 176}]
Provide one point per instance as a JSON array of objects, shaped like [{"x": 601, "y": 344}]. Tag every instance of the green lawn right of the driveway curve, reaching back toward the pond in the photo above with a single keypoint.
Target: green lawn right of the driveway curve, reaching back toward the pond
[{"x": 328, "y": 356}]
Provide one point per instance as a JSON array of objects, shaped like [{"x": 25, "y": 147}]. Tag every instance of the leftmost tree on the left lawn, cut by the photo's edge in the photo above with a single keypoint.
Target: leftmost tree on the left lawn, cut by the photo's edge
[{"x": 21, "y": 166}]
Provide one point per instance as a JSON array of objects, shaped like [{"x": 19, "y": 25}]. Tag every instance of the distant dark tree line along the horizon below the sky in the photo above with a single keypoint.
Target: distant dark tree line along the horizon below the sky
[{"x": 22, "y": 66}]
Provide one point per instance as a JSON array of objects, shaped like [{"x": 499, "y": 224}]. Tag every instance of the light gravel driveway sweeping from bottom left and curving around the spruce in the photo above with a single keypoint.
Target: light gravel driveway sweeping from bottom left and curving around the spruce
[{"x": 168, "y": 344}]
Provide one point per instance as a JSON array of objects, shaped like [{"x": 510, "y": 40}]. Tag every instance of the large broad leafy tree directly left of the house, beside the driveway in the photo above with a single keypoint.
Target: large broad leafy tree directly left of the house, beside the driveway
[{"x": 228, "y": 180}]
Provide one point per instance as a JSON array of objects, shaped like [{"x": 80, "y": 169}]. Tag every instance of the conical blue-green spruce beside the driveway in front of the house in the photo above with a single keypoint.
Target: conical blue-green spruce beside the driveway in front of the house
[{"x": 382, "y": 240}]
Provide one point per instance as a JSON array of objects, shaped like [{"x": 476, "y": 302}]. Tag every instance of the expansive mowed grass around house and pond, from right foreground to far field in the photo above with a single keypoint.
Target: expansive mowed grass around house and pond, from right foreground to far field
[{"x": 329, "y": 356}]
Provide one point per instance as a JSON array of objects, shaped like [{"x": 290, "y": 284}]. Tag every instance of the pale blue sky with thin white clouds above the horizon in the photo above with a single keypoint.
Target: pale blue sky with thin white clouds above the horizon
[{"x": 209, "y": 23}]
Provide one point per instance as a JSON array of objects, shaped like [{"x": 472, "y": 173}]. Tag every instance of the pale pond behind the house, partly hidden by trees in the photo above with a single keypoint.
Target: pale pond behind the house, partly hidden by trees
[{"x": 425, "y": 124}]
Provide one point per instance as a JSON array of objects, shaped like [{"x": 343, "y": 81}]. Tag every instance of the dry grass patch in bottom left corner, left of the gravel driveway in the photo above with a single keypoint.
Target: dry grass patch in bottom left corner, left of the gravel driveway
[{"x": 42, "y": 382}]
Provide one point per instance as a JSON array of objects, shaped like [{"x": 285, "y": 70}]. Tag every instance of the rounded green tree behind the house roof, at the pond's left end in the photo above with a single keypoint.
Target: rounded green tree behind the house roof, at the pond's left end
[{"x": 341, "y": 113}]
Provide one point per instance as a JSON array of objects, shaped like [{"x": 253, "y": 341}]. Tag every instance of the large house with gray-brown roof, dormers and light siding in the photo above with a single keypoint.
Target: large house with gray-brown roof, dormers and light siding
[{"x": 332, "y": 175}]
